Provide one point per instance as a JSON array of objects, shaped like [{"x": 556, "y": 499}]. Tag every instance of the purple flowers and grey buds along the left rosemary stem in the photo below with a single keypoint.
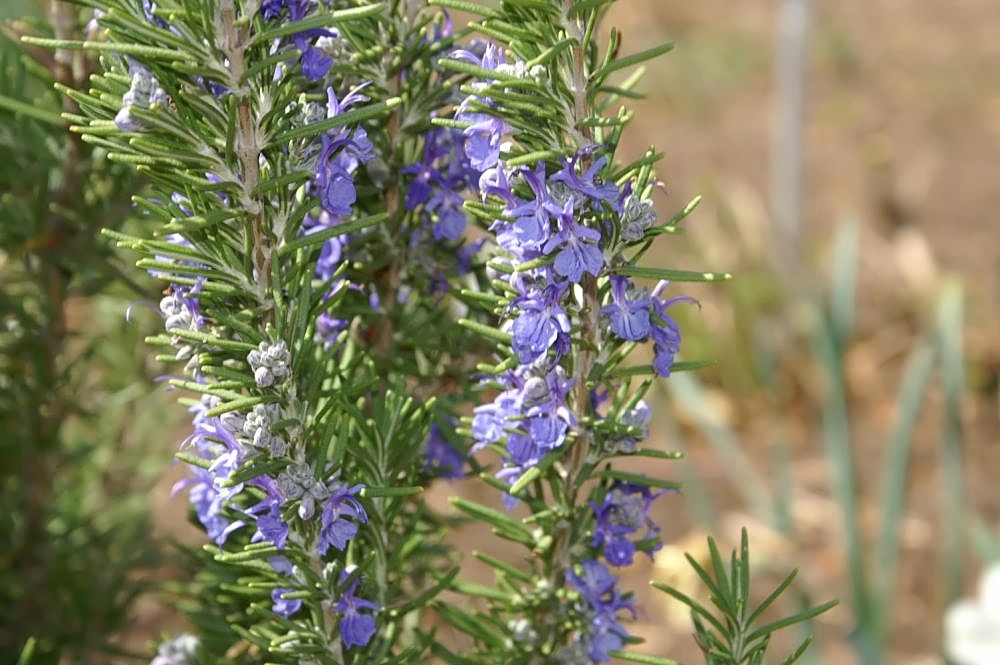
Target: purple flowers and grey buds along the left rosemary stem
[{"x": 311, "y": 506}]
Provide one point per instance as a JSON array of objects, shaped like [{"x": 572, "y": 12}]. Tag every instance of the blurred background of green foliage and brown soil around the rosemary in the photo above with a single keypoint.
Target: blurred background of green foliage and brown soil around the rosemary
[{"x": 846, "y": 159}]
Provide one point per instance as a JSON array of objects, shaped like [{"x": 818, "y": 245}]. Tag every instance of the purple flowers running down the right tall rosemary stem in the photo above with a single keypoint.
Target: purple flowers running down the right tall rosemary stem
[{"x": 561, "y": 235}]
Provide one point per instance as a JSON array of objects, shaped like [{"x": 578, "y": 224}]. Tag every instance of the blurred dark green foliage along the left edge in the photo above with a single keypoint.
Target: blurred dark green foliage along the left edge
[{"x": 72, "y": 457}]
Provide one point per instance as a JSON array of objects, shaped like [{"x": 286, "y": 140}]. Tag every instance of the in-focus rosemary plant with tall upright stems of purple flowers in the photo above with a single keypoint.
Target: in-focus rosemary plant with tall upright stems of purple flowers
[{"x": 387, "y": 246}]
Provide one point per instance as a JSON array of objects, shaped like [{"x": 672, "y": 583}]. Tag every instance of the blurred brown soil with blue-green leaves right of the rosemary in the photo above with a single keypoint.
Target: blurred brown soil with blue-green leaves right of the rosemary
[{"x": 846, "y": 155}]
